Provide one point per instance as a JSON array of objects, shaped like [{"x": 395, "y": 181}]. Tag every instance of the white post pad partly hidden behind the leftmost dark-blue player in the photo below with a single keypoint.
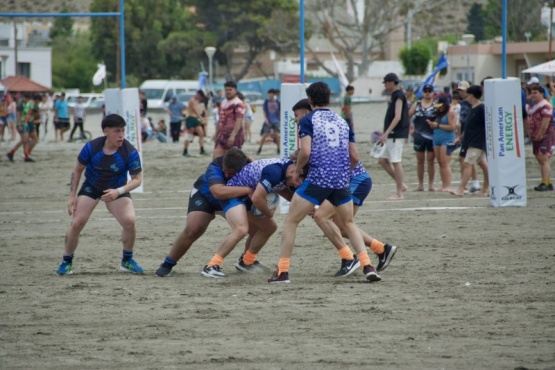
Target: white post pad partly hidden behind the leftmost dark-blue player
[{"x": 126, "y": 103}]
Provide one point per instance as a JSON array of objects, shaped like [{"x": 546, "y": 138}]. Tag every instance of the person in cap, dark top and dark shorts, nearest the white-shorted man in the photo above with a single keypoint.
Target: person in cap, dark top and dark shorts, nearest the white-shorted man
[{"x": 423, "y": 134}]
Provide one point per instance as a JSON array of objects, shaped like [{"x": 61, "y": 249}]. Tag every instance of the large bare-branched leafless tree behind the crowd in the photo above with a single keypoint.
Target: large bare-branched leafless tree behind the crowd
[{"x": 364, "y": 27}]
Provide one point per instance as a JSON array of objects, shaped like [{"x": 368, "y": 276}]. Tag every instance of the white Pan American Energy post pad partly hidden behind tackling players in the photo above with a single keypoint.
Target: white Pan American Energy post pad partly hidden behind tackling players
[{"x": 291, "y": 93}]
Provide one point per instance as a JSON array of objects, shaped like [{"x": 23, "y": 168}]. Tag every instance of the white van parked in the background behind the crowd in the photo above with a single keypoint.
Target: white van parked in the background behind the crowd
[{"x": 159, "y": 92}]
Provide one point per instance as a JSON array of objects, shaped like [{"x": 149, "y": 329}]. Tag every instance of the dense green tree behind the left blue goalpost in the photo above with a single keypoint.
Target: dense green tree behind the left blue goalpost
[{"x": 148, "y": 24}]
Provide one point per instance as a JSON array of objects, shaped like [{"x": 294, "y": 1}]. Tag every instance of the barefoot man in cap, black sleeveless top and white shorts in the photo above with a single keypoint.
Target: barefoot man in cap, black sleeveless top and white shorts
[{"x": 396, "y": 131}]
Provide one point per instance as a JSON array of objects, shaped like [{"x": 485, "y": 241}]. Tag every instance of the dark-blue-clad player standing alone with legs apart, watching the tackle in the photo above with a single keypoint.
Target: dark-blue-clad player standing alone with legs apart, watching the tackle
[{"x": 106, "y": 161}]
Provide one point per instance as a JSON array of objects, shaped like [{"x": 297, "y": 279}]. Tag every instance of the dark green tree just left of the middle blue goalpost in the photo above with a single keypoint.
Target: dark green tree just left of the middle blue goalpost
[{"x": 250, "y": 26}]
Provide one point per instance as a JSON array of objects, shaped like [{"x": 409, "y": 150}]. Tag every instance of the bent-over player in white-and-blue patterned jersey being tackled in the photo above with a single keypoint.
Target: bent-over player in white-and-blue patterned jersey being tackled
[{"x": 262, "y": 176}]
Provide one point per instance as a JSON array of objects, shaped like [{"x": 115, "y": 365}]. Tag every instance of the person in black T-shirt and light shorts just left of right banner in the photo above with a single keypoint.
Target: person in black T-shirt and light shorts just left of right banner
[{"x": 474, "y": 141}]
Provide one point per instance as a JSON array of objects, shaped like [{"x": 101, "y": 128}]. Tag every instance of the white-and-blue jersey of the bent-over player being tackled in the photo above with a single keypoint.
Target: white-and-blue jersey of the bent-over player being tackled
[{"x": 270, "y": 173}]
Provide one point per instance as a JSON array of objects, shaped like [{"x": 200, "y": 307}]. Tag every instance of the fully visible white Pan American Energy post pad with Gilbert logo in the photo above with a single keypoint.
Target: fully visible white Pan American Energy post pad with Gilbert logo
[{"x": 505, "y": 142}]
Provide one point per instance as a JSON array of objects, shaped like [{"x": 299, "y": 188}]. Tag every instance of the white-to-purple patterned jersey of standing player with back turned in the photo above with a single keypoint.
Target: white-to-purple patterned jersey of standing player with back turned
[{"x": 330, "y": 164}]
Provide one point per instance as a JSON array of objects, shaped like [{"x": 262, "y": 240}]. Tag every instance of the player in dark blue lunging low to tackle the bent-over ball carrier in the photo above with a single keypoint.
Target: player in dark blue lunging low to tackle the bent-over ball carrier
[{"x": 204, "y": 202}]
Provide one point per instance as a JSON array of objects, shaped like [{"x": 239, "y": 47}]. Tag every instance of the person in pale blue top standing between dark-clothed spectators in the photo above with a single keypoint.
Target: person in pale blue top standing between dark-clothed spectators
[{"x": 444, "y": 134}]
